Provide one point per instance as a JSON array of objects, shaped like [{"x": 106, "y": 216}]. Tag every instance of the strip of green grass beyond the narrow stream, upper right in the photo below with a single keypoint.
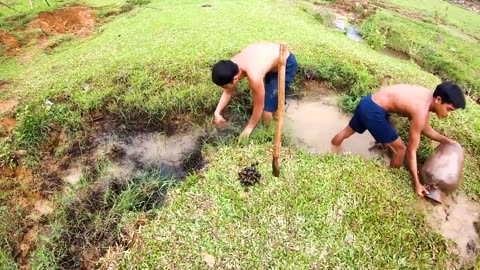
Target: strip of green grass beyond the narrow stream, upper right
[{"x": 434, "y": 48}]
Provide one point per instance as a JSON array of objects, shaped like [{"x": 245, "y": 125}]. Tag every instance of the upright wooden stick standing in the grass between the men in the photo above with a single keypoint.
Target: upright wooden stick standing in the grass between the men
[{"x": 282, "y": 59}]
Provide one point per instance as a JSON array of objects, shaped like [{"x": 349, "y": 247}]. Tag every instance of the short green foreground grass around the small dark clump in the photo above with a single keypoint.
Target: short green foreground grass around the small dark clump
[{"x": 316, "y": 215}]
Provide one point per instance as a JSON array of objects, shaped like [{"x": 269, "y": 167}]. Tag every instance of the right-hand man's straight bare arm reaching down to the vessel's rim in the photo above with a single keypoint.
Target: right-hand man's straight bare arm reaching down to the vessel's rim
[{"x": 416, "y": 128}]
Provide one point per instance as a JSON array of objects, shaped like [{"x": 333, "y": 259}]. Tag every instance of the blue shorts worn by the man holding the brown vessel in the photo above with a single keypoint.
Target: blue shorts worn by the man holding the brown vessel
[{"x": 368, "y": 115}]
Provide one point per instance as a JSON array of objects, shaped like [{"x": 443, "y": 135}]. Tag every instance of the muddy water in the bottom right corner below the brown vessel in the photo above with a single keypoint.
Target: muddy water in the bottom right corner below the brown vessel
[{"x": 456, "y": 220}]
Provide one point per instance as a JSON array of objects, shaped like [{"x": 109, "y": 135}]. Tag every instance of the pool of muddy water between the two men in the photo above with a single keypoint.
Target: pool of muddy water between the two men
[{"x": 315, "y": 119}]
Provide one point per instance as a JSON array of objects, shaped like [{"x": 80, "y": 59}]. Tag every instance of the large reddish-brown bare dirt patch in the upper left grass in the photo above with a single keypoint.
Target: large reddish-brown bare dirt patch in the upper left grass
[{"x": 76, "y": 20}]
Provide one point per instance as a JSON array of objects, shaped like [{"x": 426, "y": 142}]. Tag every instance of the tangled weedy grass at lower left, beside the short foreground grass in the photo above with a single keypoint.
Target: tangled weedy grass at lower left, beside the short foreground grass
[{"x": 94, "y": 216}]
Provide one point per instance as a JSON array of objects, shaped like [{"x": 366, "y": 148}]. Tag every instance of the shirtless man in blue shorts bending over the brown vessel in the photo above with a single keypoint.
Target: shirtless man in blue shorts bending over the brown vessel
[{"x": 414, "y": 102}]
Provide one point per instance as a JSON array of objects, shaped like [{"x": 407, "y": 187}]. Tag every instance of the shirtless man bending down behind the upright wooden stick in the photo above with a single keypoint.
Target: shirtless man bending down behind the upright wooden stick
[{"x": 258, "y": 62}]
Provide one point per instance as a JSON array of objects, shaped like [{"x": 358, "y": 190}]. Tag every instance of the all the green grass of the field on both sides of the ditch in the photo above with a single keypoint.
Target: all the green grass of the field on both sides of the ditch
[{"x": 153, "y": 62}]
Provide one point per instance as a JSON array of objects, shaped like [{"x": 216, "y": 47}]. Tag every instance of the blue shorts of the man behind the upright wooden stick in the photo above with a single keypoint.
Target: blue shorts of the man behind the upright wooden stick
[{"x": 271, "y": 84}]
